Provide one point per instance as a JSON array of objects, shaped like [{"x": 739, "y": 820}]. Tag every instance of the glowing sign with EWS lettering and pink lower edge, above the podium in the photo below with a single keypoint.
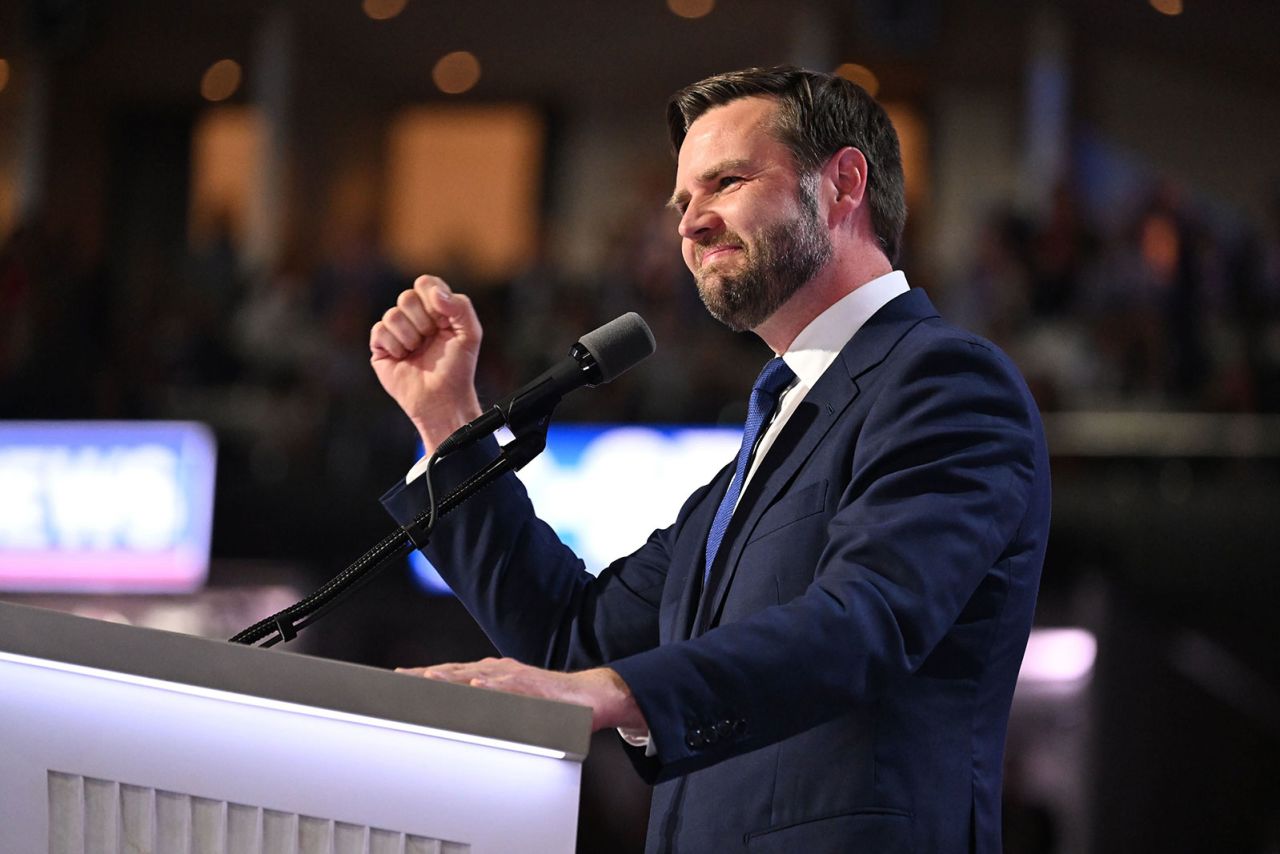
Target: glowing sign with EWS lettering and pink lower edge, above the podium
[{"x": 108, "y": 506}]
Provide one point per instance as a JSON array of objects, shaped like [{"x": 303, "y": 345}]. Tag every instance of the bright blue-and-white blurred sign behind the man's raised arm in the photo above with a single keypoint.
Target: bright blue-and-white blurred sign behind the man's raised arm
[{"x": 605, "y": 490}]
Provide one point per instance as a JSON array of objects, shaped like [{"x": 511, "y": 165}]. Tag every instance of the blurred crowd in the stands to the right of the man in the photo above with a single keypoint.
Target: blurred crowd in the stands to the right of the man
[{"x": 1167, "y": 310}]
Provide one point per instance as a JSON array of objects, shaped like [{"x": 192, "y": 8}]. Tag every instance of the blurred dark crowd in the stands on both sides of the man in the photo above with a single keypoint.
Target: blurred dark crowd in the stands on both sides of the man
[{"x": 1169, "y": 312}]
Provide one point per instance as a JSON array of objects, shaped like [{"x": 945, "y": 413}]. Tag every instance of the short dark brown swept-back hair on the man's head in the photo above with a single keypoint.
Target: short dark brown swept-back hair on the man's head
[{"x": 819, "y": 116}]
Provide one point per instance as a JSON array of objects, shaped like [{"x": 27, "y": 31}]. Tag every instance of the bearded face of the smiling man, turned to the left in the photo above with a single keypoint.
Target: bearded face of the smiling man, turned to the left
[{"x": 751, "y": 230}]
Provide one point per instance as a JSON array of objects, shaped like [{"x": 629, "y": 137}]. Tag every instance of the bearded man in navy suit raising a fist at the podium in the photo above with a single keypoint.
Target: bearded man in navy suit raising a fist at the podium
[{"x": 821, "y": 652}]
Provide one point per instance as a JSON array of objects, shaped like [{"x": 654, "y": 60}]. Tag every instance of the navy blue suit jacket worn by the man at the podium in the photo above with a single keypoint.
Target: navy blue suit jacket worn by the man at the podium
[{"x": 844, "y": 683}]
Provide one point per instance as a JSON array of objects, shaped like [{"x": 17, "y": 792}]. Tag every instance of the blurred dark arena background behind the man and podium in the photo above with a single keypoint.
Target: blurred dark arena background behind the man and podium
[{"x": 205, "y": 207}]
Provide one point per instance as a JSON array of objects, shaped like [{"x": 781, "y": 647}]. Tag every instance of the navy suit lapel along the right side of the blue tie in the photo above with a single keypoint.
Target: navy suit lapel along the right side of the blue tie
[{"x": 834, "y": 392}]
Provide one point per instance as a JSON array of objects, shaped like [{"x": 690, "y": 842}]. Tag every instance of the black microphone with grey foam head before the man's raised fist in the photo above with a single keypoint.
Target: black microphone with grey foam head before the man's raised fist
[{"x": 598, "y": 358}]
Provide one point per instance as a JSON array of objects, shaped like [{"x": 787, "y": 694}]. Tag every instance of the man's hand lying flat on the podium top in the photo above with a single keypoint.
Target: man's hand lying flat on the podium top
[{"x": 600, "y": 689}]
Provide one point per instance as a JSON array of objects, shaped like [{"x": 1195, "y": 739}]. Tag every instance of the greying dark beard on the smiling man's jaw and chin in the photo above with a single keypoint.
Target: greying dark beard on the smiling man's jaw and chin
[{"x": 781, "y": 259}]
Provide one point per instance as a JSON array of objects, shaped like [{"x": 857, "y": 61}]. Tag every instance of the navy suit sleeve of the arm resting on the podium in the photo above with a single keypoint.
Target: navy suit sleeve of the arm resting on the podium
[{"x": 940, "y": 485}]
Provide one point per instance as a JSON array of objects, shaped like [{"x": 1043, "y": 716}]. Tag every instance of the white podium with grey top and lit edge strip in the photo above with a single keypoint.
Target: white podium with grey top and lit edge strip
[{"x": 124, "y": 739}]
